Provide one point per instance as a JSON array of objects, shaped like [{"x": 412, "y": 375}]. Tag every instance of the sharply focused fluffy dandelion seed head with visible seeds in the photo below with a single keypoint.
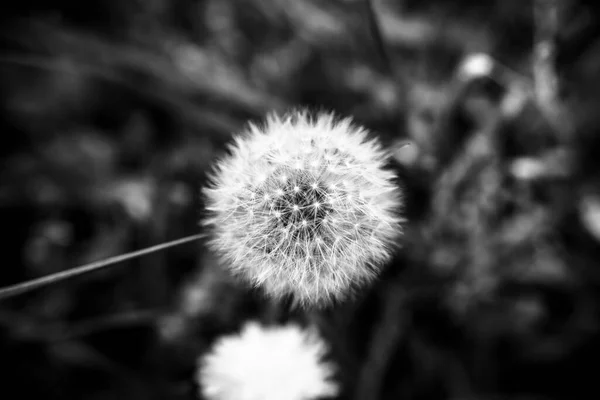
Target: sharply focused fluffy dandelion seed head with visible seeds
[{"x": 304, "y": 207}]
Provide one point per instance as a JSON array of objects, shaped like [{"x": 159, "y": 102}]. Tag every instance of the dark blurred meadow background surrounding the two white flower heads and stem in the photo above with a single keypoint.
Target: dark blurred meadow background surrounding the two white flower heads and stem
[{"x": 111, "y": 113}]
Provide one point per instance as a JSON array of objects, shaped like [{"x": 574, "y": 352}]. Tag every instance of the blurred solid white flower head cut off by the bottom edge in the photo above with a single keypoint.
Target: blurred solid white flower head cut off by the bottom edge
[{"x": 267, "y": 363}]
